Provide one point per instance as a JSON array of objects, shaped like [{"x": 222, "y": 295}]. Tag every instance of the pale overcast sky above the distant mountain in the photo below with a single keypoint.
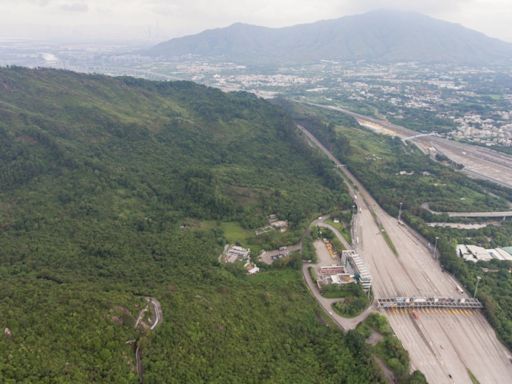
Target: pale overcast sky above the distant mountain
[{"x": 156, "y": 20}]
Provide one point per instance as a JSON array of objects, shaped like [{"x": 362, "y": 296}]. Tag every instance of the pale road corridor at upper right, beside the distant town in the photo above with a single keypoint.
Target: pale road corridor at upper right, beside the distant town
[{"x": 478, "y": 162}]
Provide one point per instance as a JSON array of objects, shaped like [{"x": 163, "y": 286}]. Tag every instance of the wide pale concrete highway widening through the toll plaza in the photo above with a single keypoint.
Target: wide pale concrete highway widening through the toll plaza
[{"x": 443, "y": 344}]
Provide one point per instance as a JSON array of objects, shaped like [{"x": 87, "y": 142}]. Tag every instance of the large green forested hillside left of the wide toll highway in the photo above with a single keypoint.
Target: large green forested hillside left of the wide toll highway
[{"x": 97, "y": 178}]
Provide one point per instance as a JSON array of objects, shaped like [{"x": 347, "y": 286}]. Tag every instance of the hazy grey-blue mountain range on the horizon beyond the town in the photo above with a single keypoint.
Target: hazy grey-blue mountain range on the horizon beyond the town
[{"x": 378, "y": 36}]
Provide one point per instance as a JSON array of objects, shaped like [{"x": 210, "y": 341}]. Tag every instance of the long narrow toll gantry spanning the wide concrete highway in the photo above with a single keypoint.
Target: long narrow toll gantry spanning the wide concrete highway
[{"x": 429, "y": 302}]
